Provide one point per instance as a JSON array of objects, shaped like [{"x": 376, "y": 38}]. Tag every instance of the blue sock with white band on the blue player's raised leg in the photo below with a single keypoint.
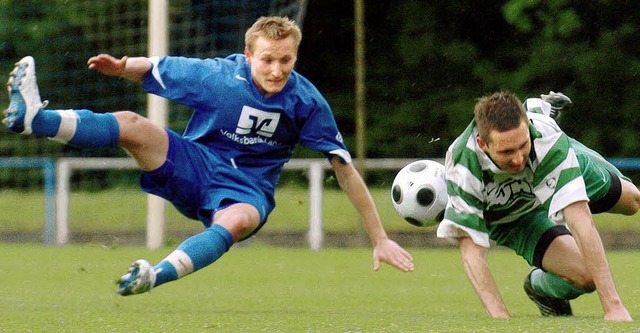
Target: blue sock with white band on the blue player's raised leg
[{"x": 79, "y": 128}]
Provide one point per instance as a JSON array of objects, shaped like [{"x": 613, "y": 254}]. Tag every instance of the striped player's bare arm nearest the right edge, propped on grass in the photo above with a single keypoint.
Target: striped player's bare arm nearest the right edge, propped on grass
[{"x": 580, "y": 221}]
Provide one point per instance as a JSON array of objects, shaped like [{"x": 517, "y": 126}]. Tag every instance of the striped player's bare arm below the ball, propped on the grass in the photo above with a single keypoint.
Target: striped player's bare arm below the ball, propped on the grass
[{"x": 474, "y": 258}]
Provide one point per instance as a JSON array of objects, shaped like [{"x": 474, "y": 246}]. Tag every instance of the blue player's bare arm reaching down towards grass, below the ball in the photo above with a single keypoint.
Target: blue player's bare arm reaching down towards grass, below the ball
[{"x": 384, "y": 249}]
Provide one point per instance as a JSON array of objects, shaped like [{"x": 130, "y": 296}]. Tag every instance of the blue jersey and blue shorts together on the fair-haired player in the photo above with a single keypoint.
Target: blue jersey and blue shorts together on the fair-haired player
[{"x": 237, "y": 140}]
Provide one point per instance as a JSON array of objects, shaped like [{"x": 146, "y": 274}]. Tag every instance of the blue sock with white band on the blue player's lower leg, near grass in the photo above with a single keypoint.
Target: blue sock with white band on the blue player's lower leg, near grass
[{"x": 193, "y": 254}]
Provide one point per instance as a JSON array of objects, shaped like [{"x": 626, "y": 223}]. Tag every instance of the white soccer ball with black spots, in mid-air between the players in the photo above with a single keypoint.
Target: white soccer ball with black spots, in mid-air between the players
[{"x": 419, "y": 193}]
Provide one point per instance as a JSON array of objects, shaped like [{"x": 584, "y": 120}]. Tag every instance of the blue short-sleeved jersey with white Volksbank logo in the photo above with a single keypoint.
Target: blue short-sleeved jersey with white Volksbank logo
[{"x": 254, "y": 133}]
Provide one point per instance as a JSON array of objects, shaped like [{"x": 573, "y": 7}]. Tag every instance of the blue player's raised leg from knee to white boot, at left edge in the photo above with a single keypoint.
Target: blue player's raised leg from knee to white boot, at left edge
[{"x": 146, "y": 142}]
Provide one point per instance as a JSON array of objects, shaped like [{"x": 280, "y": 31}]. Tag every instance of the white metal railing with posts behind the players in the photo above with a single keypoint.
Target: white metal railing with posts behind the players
[{"x": 315, "y": 172}]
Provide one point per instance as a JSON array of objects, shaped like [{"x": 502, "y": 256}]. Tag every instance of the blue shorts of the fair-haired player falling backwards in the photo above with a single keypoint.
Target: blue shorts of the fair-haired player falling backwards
[{"x": 198, "y": 181}]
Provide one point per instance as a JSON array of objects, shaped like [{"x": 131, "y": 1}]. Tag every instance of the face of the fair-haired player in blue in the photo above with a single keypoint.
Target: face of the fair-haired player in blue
[{"x": 271, "y": 63}]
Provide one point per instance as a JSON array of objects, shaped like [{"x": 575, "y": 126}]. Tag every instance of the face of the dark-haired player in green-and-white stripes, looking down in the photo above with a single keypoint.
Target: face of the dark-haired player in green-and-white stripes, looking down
[{"x": 509, "y": 150}]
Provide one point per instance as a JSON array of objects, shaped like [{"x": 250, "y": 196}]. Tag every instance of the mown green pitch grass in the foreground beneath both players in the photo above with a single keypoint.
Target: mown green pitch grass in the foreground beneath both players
[{"x": 266, "y": 289}]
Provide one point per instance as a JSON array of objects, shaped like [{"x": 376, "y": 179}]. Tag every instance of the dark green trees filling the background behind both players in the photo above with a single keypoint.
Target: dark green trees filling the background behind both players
[{"x": 427, "y": 63}]
